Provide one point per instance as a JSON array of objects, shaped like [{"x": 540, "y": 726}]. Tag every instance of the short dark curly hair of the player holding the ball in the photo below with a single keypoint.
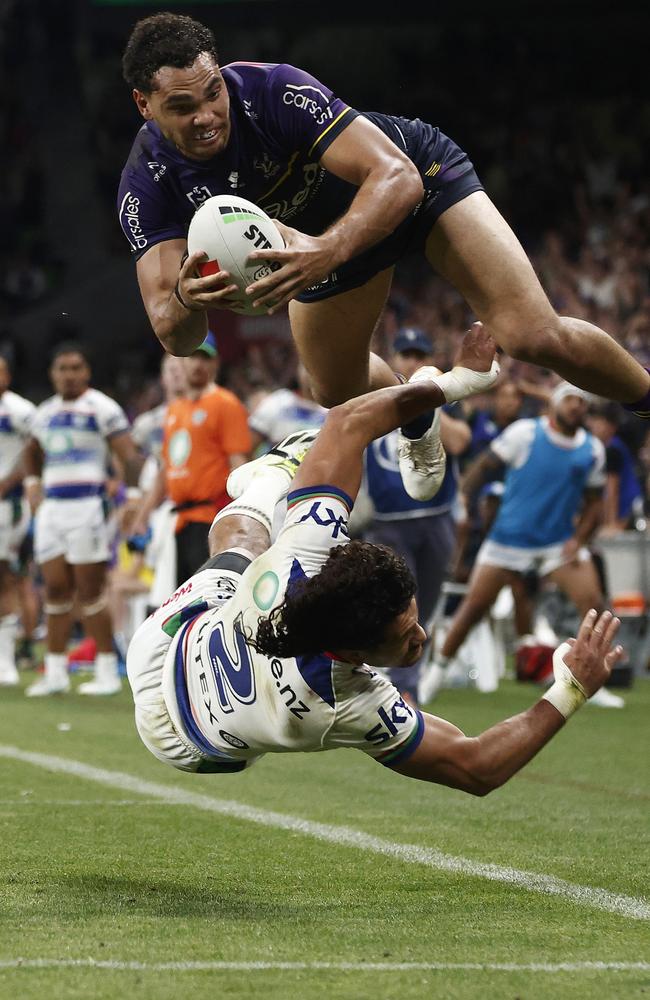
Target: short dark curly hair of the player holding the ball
[{"x": 164, "y": 40}]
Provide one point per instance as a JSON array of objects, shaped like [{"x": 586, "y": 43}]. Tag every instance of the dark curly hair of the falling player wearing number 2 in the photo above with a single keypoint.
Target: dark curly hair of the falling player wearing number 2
[{"x": 348, "y": 605}]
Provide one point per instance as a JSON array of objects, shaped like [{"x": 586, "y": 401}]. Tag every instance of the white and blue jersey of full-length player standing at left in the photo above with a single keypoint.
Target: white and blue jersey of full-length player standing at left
[{"x": 73, "y": 434}]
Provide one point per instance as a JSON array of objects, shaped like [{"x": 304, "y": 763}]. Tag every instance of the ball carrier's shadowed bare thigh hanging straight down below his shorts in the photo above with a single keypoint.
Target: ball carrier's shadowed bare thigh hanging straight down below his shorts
[{"x": 333, "y": 337}]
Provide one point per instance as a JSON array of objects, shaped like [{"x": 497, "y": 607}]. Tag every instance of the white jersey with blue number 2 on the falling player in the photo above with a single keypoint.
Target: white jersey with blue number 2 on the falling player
[{"x": 234, "y": 704}]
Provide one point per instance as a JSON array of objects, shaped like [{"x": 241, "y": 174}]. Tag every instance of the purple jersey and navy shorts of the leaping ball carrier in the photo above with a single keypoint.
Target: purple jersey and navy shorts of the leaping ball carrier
[{"x": 282, "y": 121}]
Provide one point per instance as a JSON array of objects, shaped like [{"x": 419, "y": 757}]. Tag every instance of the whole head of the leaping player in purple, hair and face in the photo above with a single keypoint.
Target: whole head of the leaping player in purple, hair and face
[{"x": 171, "y": 64}]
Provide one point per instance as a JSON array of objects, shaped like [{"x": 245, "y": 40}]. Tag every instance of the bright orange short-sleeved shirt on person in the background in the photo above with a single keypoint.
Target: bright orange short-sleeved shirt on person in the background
[{"x": 200, "y": 436}]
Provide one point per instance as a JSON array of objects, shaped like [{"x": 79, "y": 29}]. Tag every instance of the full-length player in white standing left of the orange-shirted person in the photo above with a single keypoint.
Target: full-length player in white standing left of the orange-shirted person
[{"x": 72, "y": 435}]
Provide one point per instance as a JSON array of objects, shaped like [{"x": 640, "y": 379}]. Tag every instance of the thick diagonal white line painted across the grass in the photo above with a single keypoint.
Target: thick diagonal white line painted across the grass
[{"x": 344, "y": 836}]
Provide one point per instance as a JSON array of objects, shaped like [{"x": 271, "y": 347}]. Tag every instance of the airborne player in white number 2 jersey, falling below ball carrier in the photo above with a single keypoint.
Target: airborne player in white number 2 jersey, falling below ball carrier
[{"x": 233, "y": 665}]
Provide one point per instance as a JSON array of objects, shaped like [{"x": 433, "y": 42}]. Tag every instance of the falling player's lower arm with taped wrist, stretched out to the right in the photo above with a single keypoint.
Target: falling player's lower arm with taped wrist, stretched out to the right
[{"x": 480, "y": 764}]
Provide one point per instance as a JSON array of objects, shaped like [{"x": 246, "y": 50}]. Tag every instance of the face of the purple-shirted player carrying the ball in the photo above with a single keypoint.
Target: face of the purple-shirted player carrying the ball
[{"x": 191, "y": 106}]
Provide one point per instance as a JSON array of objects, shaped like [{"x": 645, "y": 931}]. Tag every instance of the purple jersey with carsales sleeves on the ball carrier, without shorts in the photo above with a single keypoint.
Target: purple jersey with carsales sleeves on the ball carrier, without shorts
[{"x": 282, "y": 121}]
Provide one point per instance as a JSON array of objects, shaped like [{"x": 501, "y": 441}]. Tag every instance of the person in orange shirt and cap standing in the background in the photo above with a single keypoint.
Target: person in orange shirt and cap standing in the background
[{"x": 206, "y": 436}]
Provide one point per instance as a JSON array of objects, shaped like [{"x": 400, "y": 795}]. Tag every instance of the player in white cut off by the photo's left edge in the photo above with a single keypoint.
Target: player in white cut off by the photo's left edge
[{"x": 16, "y": 415}]
